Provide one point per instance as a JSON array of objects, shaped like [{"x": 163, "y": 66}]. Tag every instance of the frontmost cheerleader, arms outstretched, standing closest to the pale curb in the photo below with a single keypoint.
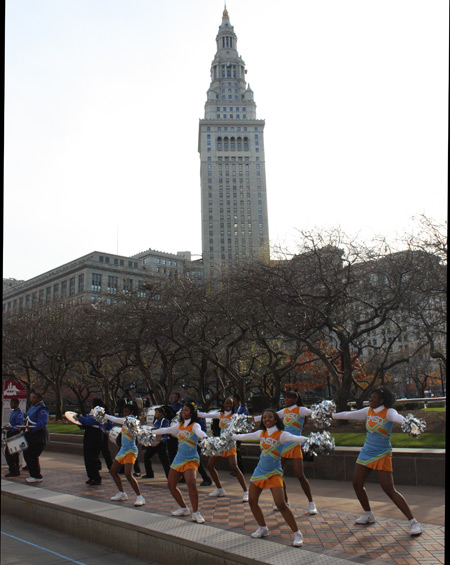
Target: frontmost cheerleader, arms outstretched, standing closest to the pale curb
[{"x": 269, "y": 474}]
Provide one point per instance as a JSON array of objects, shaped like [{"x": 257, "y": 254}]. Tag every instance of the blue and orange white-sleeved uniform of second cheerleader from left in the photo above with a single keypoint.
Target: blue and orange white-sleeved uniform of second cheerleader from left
[{"x": 188, "y": 435}]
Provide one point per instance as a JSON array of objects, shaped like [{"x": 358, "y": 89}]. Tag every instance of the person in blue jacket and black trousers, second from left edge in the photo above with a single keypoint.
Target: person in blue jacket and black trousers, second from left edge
[{"x": 36, "y": 434}]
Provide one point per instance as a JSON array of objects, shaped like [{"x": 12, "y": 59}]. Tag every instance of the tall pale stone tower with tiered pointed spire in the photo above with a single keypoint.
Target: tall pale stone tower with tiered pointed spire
[{"x": 233, "y": 177}]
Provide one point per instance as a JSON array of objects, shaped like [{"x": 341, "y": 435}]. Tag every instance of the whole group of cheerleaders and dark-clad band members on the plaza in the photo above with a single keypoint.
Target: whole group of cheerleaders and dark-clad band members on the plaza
[{"x": 179, "y": 427}]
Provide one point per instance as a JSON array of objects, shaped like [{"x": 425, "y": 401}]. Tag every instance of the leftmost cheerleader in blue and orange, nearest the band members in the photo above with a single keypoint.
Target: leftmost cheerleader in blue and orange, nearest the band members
[{"x": 126, "y": 456}]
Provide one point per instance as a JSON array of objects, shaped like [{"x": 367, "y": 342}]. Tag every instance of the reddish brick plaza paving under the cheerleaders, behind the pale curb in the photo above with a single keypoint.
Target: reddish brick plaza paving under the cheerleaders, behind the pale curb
[{"x": 331, "y": 532}]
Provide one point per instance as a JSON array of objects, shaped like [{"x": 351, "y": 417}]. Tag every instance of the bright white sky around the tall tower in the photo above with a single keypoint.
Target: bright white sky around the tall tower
[{"x": 103, "y": 100}]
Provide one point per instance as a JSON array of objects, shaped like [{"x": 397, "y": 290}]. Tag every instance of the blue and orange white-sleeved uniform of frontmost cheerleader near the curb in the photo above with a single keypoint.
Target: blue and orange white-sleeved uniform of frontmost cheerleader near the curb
[{"x": 268, "y": 473}]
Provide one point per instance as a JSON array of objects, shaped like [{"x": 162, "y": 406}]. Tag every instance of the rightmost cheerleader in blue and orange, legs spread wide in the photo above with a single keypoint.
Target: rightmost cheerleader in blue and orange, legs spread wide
[{"x": 377, "y": 454}]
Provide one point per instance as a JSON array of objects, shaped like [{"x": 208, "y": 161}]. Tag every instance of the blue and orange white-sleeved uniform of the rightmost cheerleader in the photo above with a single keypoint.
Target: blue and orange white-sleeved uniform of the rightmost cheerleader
[{"x": 377, "y": 450}]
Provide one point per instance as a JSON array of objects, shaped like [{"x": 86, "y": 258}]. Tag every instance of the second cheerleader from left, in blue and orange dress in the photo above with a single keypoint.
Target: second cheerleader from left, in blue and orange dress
[{"x": 186, "y": 461}]
